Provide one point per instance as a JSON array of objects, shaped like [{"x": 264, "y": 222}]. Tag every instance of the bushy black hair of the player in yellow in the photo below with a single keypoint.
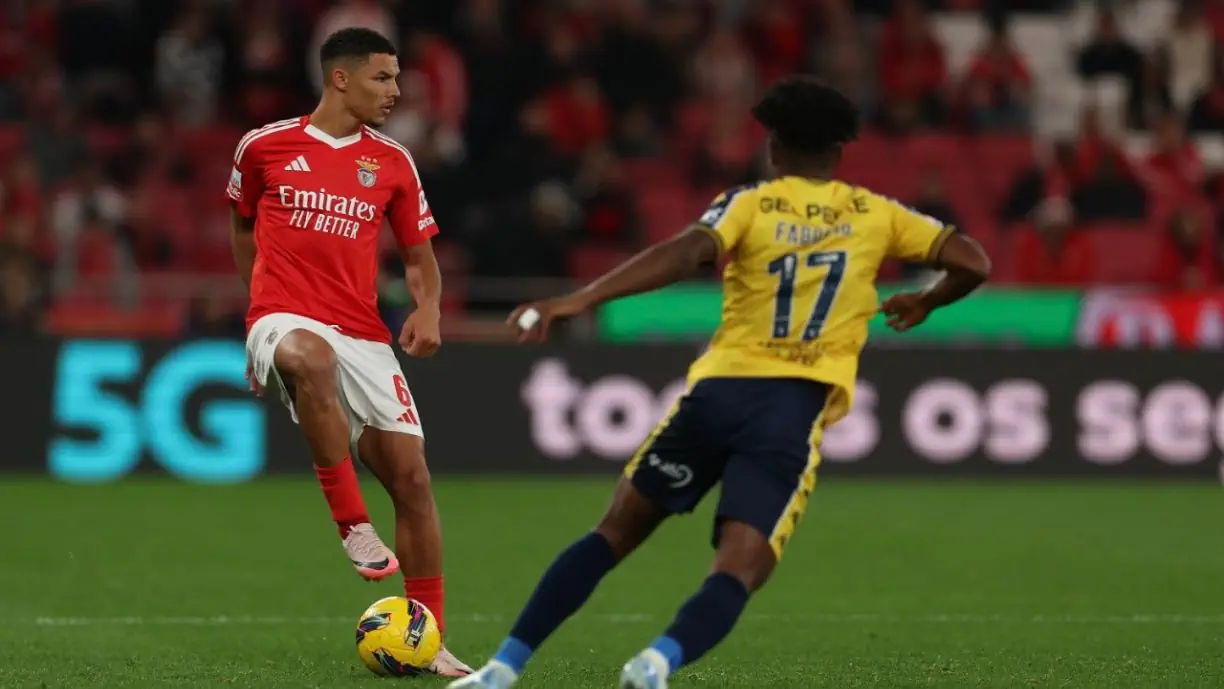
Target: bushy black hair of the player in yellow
[{"x": 808, "y": 117}]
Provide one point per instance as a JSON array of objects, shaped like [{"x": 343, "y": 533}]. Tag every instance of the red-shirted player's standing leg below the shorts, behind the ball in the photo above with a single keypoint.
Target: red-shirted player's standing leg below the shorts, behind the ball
[{"x": 398, "y": 461}]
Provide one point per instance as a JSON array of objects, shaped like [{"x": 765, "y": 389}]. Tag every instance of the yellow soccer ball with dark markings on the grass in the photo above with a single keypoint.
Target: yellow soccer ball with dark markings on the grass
[{"x": 398, "y": 638}]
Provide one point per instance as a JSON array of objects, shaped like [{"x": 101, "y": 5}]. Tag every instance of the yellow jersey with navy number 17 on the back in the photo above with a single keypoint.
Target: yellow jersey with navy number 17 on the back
[{"x": 800, "y": 283}]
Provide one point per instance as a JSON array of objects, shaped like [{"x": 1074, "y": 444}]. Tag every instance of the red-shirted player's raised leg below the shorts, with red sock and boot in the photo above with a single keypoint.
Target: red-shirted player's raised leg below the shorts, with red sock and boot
[{"x": 307, "y": 365}]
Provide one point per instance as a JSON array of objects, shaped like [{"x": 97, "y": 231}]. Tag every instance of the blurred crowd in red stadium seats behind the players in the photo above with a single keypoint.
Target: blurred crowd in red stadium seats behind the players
[{"x": 558, "y": 136}]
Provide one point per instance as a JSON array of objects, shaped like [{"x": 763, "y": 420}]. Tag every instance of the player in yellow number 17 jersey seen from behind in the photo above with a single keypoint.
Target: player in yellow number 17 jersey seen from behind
[{"x": 804, "y": 254}]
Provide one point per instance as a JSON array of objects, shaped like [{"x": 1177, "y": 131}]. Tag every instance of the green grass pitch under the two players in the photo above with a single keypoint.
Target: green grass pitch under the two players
[{"x": 886, "y": 586}]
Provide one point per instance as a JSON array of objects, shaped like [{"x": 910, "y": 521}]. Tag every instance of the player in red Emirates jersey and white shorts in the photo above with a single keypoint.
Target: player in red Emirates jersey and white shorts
[{"x": 309, "y": 198}]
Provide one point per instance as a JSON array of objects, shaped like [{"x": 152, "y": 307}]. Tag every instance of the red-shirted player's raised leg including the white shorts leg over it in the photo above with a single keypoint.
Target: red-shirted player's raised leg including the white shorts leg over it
[{"x": 297, "y": 352}]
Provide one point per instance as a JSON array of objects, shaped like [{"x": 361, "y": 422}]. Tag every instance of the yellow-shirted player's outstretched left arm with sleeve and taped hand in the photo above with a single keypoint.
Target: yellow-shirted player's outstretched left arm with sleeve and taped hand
[{"x": 659, "y": 266}]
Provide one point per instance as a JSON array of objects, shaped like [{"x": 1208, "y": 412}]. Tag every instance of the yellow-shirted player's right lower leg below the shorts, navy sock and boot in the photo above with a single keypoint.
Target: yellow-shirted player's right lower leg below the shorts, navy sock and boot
[{"x": 742, "y": 565}]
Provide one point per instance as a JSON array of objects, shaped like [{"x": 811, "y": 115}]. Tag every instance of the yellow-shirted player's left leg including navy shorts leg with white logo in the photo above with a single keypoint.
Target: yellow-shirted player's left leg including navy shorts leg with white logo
[{"x": 675, "y": 468}]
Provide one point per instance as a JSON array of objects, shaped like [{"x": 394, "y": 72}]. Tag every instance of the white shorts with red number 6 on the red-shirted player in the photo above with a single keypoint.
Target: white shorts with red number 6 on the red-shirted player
[{"x": 374, "y": 391}]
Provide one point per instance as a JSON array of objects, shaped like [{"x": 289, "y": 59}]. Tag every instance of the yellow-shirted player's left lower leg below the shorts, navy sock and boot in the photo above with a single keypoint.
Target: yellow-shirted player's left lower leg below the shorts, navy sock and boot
[{"x": 569, "y": 583}]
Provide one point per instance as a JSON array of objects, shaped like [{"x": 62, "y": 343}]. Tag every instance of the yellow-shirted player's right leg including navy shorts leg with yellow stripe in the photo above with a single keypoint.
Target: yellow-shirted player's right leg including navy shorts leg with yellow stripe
[{"x": 766, "y": 491}]
